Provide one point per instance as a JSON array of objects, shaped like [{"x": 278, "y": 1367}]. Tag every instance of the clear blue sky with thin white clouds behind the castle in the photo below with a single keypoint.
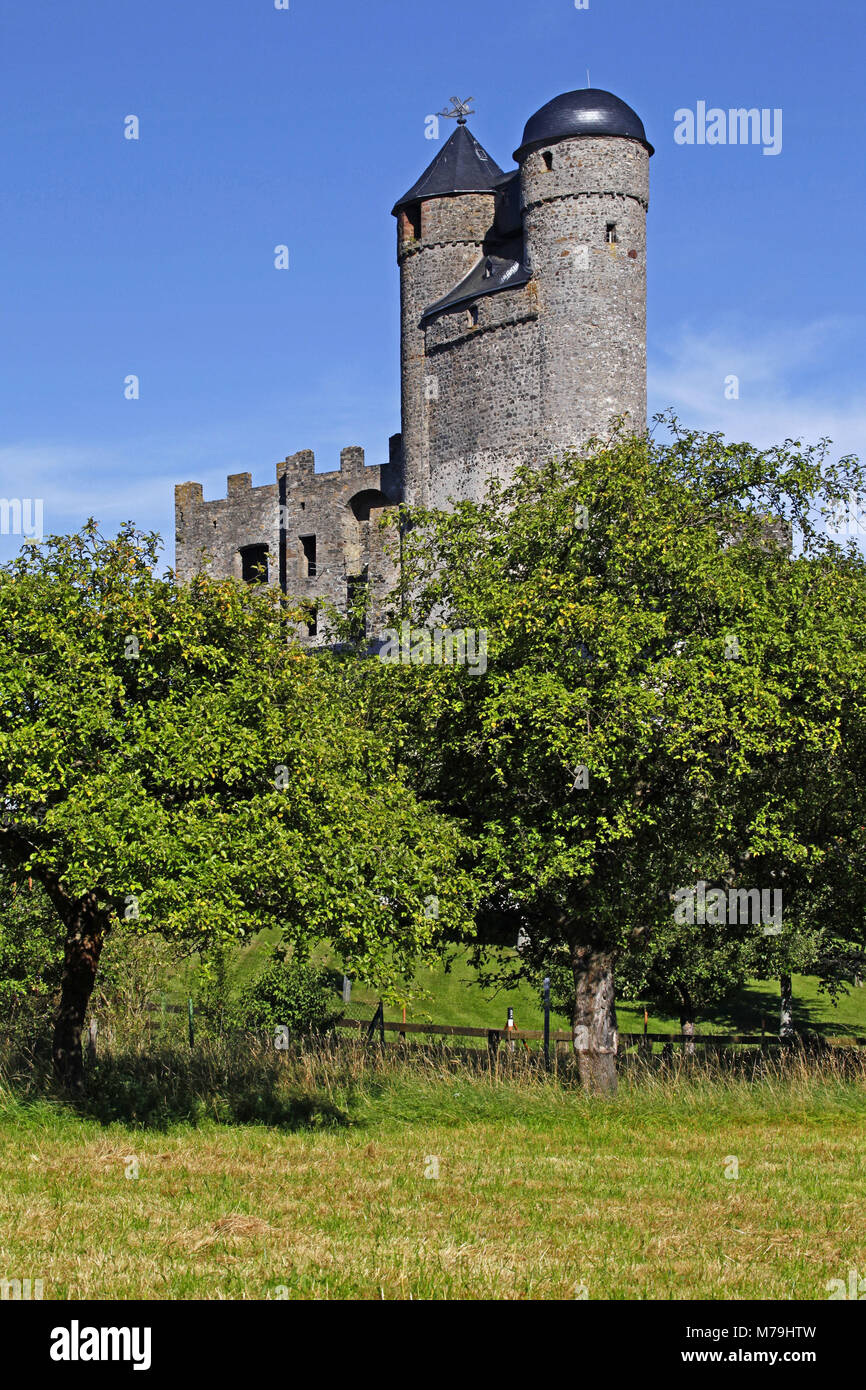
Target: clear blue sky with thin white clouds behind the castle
[{"x": 263, "y": 127}]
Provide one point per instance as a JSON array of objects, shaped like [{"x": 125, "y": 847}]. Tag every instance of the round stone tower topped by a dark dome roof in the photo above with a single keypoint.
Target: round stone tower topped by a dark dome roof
[{"x": 585, "y": 181}]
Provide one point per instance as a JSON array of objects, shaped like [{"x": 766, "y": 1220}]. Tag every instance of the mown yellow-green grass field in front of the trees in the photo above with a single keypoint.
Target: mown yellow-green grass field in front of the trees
[{"x": 541, "y": 1192}]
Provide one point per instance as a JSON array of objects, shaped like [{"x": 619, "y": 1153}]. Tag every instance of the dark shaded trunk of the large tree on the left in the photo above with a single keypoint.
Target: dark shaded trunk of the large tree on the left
[{"x": 85, "y": 935}]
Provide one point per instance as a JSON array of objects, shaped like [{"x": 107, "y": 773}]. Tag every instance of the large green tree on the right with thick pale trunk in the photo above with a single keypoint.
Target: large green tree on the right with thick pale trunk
[{"x": 672, "y": 694}]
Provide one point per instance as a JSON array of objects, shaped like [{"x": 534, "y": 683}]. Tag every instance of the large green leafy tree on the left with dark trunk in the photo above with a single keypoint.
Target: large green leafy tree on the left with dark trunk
[{"x": 172, "y": 760}]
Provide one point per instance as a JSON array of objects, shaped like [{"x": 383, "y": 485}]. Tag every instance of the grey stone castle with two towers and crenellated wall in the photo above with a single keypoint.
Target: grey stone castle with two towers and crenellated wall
[{"x": 523, "y": 333}]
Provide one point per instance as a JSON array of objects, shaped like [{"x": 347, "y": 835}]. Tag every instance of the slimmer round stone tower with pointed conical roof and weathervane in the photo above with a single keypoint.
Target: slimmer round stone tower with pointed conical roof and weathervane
[{"x": 443, "y": 223}]
